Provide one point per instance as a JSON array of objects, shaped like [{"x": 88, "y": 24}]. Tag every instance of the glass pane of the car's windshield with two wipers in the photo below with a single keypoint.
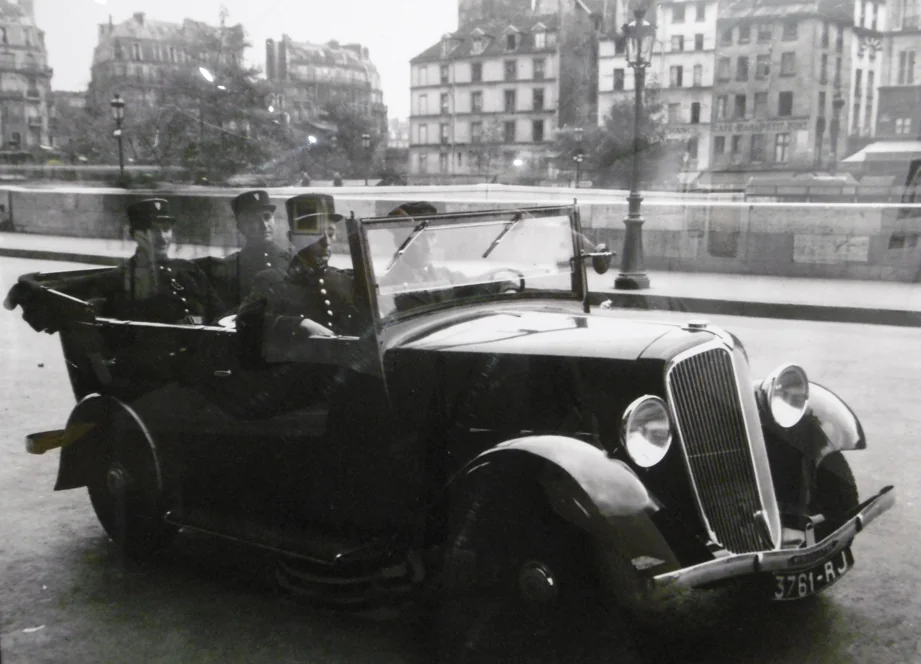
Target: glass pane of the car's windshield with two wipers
[{"x": 417, "y": 264}]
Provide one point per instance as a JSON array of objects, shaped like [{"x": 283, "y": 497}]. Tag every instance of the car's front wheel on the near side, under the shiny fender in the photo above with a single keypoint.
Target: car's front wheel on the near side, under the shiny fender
[{"x": 520, "y": 584}]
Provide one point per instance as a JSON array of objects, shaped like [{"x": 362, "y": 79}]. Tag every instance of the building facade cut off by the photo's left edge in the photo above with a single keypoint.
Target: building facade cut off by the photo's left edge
[{"x": 25, "y": 80}]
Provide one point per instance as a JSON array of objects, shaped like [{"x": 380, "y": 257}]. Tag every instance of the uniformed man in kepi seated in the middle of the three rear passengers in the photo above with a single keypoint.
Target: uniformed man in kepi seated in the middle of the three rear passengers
[{"x": 255, "y": 217}]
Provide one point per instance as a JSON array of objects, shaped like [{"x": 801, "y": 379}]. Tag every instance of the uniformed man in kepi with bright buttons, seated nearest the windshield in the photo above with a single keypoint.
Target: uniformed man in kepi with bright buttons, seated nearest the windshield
[{"x": 310, "y": 297}]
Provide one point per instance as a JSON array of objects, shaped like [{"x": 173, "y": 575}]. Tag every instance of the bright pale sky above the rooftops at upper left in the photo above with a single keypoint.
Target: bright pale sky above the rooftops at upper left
[{"x": 393, "y": 30}]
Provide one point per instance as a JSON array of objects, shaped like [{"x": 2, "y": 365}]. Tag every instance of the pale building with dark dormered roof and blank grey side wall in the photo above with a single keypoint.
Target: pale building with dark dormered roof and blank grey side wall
[{"x": 487, "y": 100}]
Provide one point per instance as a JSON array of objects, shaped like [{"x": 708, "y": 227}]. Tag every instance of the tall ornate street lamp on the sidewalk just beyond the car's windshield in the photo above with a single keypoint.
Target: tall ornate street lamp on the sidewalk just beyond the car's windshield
[{"x": 640, "y": 36}]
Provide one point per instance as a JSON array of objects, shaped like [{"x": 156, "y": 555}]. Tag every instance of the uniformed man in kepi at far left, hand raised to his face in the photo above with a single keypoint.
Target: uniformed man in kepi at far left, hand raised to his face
[{"x": 151, "y": 286}]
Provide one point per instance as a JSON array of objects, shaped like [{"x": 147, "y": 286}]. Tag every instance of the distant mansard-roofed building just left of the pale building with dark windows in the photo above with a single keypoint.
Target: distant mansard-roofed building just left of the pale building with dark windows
[{"x": 307, "y": 77}]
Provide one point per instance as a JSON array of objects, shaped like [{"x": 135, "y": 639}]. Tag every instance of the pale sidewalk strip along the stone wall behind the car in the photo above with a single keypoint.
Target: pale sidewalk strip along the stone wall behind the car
[{"x": 831, "y": 300}]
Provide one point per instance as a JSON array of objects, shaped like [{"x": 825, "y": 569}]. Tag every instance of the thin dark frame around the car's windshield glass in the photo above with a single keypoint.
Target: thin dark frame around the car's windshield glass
[{"x": 502, "y": 218}]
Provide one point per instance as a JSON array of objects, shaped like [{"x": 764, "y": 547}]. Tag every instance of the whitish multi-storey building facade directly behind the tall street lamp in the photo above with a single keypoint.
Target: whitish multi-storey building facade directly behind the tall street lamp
[{"x": 681, "y": 73}]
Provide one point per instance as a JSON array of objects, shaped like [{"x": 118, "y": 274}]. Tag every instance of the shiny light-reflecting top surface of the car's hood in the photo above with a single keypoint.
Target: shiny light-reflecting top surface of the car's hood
[{"x": 543, "y": 333}]
